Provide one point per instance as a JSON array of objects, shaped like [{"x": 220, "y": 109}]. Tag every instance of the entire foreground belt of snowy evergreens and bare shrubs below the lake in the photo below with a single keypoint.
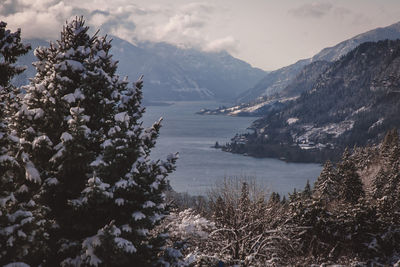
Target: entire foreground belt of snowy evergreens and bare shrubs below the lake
[{"x": 78, "y": 188}]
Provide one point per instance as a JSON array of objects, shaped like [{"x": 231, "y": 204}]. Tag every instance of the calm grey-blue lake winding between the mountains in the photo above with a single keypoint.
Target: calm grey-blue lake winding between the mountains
[{"x": 200, "y": 167}]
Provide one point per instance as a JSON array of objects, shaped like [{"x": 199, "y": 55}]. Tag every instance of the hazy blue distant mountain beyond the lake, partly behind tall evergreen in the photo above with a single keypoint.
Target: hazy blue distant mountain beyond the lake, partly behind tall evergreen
[{"x": 172, "y": 73}]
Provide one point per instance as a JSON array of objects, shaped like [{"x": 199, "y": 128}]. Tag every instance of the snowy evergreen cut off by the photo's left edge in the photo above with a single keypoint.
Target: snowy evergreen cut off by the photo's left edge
[{"x": 22, "y": 233}]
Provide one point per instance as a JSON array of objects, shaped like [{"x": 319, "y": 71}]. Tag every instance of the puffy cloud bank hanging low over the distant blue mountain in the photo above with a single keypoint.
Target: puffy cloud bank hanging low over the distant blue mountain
[{"x": 183, "y": 26}]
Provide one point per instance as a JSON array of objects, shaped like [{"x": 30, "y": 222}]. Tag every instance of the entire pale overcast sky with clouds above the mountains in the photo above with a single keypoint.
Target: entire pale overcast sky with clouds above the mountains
[{"x": 266, "y": 33}]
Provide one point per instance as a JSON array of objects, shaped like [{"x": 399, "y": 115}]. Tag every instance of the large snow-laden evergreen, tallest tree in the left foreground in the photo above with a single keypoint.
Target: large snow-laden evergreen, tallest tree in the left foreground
[{"x": 83, "y": 137}]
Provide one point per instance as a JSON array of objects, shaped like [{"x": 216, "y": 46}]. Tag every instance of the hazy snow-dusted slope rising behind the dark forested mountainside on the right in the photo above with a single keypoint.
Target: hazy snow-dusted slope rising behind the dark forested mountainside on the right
[{"x": 275, "y": 81}]
